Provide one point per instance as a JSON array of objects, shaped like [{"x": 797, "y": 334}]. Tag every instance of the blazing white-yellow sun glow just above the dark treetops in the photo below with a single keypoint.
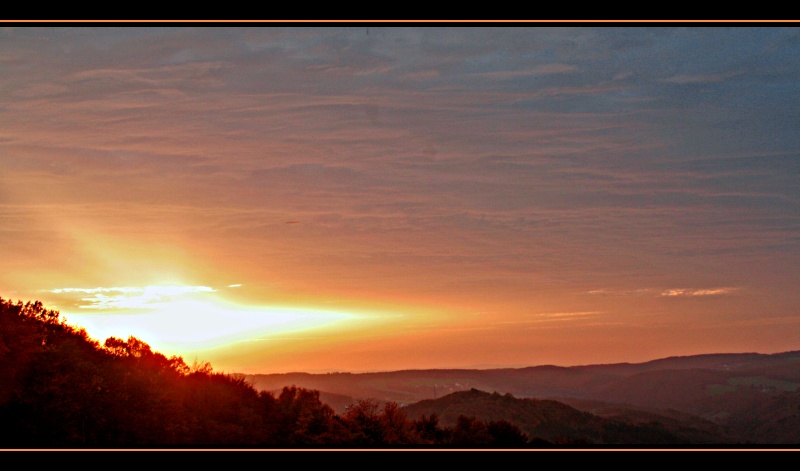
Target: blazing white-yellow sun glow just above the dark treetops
[{"x": 186, "y": 318}]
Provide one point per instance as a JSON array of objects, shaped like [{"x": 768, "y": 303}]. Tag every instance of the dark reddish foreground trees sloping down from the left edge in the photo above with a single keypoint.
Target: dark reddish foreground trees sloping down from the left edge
[{"x": 60, "y": 388}]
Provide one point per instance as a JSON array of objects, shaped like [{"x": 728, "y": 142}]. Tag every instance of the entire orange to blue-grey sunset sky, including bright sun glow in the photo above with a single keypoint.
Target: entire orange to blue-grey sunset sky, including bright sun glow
[{"x": 375, "y": 198}]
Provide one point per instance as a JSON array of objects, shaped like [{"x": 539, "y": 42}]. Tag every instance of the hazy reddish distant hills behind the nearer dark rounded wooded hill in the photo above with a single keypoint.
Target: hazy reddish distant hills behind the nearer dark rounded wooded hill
[{"x": 745, "y": 397}]
